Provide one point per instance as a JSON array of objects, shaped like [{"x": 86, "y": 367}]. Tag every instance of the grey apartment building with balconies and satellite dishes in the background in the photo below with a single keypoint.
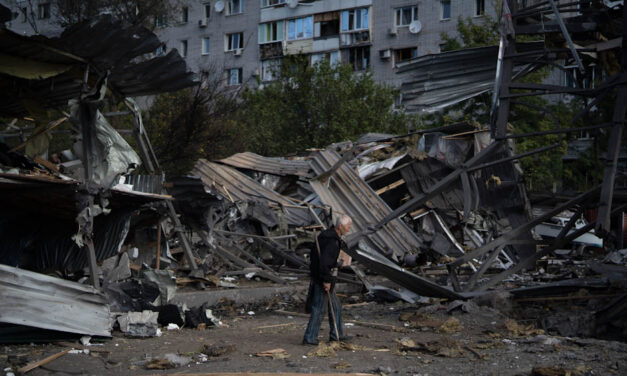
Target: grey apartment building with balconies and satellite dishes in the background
[{"x": 245, "y": 39}]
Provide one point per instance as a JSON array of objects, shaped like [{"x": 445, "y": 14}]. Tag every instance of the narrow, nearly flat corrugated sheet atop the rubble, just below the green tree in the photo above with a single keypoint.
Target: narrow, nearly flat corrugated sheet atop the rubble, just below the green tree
[{"x": 275, "y": 166}]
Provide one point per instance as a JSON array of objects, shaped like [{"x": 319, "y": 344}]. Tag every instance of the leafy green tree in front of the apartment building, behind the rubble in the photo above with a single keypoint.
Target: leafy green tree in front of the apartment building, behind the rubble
[{"x": 314, "y": 106}]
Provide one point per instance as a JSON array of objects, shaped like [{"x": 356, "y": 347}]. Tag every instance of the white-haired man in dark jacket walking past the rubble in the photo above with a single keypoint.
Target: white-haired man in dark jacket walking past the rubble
[{"x": 323, "y": 258}]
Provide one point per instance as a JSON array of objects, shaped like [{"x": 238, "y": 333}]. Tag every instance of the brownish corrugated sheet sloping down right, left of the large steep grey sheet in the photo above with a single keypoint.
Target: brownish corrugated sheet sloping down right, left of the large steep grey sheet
[{"x": 235, "y": 186}]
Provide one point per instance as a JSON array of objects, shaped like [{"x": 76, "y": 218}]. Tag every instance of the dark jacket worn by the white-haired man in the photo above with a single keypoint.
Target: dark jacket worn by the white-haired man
[{"x": 320, "y": 267}]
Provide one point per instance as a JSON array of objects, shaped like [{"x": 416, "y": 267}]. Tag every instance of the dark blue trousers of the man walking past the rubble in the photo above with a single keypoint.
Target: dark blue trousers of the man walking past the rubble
[{"x": 320, "y": 303}]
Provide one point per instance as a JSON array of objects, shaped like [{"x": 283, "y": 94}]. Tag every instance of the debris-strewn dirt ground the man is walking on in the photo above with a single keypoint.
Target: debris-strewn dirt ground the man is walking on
[{"x": 427, "y": 341}]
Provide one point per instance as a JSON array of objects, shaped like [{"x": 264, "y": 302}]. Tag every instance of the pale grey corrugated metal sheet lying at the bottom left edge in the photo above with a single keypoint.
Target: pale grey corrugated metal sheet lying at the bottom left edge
[{"x": 45, "y": 302}]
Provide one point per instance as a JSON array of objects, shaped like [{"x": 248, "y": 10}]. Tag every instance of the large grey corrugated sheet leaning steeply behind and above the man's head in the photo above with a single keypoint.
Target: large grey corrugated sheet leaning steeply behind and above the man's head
[{"x": 347, "y": 193}]
